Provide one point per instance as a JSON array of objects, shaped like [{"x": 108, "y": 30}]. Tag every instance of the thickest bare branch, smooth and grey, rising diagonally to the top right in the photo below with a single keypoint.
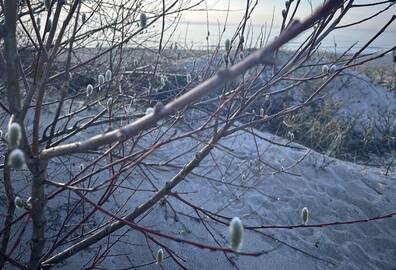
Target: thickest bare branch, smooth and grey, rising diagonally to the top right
[{"x": 264, "y": 55}]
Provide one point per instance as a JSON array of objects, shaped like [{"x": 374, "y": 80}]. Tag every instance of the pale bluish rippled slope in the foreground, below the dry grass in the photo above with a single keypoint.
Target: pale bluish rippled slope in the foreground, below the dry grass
[{"x": 231, "y": 183}]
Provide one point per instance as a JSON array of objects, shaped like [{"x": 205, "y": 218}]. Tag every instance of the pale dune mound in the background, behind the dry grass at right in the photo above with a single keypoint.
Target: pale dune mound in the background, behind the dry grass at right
[{"x": 359, "y": 98}]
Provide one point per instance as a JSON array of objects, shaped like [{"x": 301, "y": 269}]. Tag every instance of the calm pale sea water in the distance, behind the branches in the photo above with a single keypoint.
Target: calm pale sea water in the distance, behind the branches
[{"x": 193, "y": 35}]
